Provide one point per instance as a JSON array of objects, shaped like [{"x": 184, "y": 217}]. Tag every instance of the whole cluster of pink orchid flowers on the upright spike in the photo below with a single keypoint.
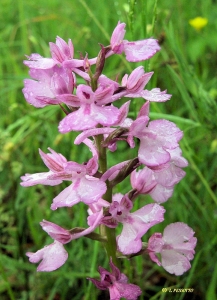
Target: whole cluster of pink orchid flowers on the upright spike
[{"x": 90, "y": 109}]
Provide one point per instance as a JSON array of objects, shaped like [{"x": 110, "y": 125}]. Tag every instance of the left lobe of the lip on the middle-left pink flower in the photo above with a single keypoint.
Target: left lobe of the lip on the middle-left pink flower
[{"x": 68, "y": 197}]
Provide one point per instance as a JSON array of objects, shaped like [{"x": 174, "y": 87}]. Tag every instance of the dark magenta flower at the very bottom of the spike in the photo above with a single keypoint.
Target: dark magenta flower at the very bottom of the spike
[{"x": 116, "y": 283}]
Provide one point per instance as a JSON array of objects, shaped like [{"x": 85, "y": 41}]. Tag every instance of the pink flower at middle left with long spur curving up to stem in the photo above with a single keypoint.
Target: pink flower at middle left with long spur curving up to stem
[{"x": 84, "y": 188}]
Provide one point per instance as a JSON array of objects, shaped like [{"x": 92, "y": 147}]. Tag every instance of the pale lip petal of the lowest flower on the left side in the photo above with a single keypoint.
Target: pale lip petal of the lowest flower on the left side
[{"x": 53, "y": 257}]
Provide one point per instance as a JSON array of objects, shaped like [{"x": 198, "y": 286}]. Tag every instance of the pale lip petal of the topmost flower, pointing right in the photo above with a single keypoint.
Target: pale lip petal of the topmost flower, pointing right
[{"x": 140, "y": 50}]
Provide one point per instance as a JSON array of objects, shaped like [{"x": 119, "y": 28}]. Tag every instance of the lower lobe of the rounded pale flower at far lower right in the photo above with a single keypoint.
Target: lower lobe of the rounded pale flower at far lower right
[{"x": 174, "y": 263}]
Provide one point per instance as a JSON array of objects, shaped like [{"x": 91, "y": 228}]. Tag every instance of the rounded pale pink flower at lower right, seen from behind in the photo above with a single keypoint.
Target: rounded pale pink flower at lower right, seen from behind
[{"x": 176, "y": 247}]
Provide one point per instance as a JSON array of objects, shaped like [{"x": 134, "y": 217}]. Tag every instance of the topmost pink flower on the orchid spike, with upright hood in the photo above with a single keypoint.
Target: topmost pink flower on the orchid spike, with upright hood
[{"x": 134, "y": 51}]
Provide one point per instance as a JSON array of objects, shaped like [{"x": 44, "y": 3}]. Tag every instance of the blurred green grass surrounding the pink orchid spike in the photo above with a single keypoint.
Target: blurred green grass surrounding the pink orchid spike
[{"x": 186, "y": 67}]
